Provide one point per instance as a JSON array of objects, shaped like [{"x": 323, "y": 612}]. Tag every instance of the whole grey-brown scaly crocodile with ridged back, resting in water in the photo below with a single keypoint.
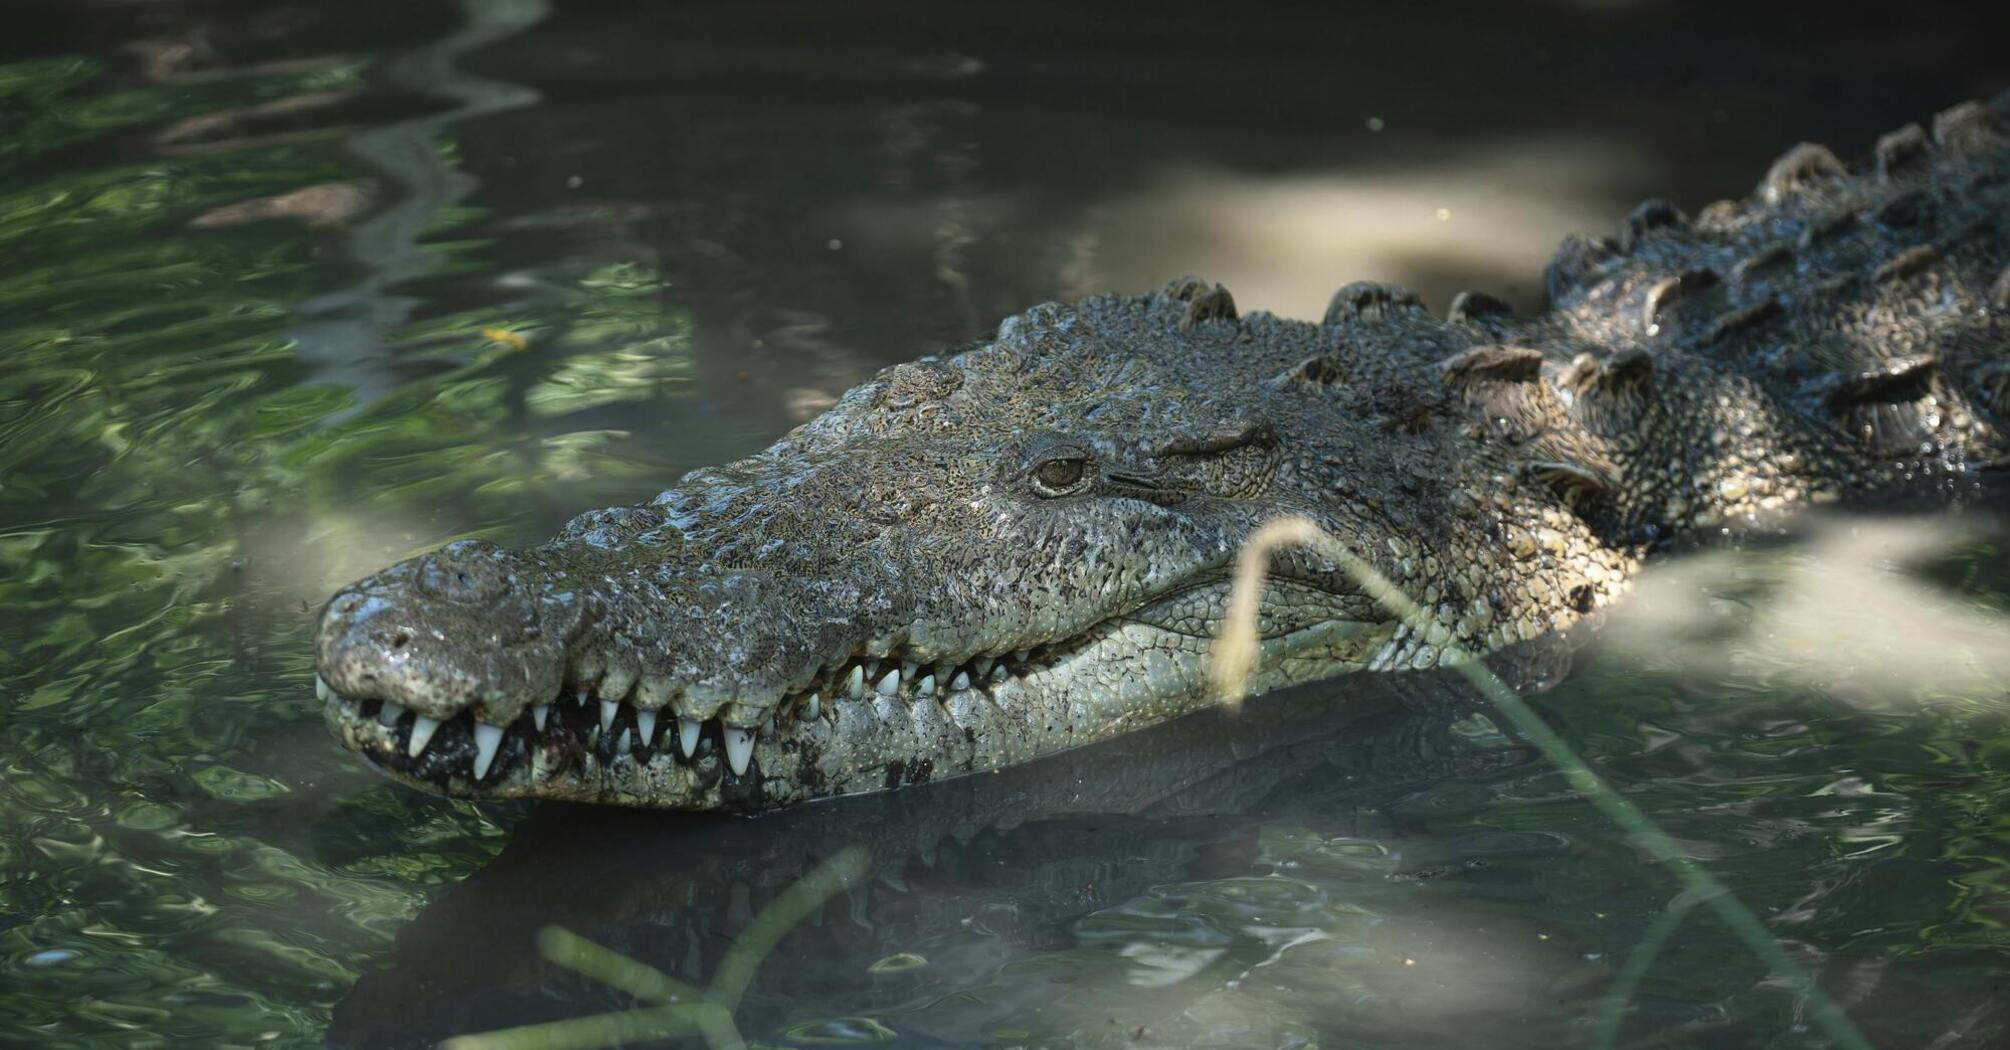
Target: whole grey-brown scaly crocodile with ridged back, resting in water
[{"x": 1026, "y": 546}]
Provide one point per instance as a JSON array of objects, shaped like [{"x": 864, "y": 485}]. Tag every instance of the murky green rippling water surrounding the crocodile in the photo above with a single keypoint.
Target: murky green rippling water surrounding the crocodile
[{"x": 294, "y": 291}]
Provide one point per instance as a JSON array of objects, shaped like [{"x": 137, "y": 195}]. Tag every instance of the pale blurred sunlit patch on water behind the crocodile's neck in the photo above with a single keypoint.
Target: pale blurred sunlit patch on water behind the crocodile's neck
[{"x": 1488, "y": 220}]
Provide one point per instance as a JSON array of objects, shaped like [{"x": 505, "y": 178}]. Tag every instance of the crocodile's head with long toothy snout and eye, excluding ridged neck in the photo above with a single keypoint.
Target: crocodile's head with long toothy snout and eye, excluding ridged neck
[{"x": 964, "y": 564}]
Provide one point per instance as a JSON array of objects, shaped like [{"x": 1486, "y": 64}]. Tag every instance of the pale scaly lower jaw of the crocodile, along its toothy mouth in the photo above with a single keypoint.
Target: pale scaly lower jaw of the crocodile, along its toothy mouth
[{"x": 903, "y": 729}]
